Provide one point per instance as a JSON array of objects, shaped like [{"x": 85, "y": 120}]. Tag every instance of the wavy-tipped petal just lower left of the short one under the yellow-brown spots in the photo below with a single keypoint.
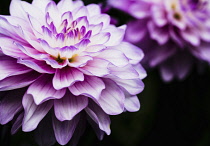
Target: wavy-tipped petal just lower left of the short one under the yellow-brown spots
[{"x": 42, "y": 90}]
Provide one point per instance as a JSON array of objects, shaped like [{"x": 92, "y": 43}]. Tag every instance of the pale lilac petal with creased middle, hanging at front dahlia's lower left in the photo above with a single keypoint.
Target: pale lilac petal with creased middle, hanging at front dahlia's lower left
[{"x": 33, "y": 113}]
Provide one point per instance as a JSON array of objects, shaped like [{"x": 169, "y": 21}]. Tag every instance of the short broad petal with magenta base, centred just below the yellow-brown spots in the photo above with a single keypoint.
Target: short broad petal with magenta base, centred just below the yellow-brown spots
[{"x": 66, "y": 77}]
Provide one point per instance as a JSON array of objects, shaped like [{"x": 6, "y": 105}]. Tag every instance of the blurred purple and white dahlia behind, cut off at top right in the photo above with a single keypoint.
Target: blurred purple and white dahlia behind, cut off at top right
[{"x": 174, "y": 34}]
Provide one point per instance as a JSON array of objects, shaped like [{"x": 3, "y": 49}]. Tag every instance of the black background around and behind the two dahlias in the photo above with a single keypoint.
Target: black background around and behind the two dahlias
[{"x": 175, "y": 113}]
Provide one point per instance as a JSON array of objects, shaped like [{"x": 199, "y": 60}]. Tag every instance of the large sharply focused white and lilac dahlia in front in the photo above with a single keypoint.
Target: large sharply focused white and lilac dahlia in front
[{"x": 62, "y": 64}]
